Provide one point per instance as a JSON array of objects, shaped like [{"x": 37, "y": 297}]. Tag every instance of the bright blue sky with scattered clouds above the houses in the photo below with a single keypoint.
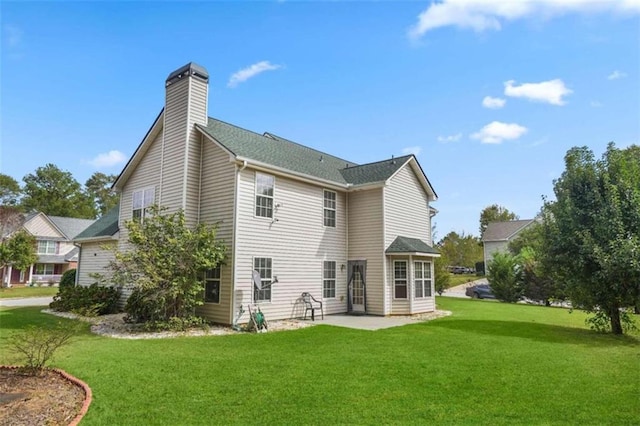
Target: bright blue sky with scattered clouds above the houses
[{"x": 488, "y": 94}]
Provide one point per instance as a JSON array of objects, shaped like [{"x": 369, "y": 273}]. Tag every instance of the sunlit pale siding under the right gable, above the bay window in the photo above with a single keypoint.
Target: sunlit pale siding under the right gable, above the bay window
[{"x": 406, "y": 208}]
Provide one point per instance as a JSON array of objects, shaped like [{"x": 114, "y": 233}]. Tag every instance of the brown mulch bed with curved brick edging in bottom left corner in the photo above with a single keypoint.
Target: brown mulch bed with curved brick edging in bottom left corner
[{"x": 51, "y": 398}]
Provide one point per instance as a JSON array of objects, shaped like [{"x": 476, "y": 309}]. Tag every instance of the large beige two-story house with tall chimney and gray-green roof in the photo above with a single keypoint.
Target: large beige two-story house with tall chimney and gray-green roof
[{"x": 358, "y": 237}]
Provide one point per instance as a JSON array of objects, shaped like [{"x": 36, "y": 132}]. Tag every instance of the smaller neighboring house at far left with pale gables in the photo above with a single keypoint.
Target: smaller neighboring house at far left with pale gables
[{"x": 54, "y": 247}]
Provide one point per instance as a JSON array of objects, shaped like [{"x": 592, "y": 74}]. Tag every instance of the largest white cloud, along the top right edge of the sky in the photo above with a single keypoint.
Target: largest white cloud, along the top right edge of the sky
[{"x": 482, "y": 15}]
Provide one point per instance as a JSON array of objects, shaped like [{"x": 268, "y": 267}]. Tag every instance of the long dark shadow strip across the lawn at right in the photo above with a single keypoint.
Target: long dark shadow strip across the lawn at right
[{"x": 536, "y": 331}]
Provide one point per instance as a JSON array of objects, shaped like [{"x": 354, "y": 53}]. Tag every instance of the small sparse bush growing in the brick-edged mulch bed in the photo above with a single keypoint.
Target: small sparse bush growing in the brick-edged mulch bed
[{"x": 37, "y": 345}]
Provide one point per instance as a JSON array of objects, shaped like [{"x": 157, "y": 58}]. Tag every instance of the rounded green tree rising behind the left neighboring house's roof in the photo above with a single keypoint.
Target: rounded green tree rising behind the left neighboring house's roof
[{"x": 55, "y": 192}]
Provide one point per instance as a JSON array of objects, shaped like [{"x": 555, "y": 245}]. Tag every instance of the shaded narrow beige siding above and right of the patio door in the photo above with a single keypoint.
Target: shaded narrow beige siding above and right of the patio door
[{"x": 366, "y": 243}]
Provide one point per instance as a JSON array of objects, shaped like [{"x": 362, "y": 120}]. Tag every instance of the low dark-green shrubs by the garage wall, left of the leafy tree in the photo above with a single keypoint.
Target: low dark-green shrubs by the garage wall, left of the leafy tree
[{"x": 87, "y": 301}]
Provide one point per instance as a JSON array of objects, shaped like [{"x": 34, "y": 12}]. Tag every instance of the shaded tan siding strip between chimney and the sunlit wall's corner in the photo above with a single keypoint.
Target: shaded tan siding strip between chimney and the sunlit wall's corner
[{"x": 217, "y": 206}]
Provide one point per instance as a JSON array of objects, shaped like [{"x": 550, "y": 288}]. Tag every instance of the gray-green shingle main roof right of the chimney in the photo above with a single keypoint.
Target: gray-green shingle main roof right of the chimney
[{"x": 282, "y": 153}]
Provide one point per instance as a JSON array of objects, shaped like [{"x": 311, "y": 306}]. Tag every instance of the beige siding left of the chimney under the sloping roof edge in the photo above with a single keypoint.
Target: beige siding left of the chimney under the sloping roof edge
[{"x": 145, "y": 175}]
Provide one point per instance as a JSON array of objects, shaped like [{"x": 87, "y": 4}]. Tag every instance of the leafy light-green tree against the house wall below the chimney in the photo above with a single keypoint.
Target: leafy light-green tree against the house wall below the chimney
[{"x": 165, "y": 264}]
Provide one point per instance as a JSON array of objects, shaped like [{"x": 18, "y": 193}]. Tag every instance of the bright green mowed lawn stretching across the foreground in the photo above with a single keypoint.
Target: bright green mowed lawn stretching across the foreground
[{"x": 488, "y": 363}]
